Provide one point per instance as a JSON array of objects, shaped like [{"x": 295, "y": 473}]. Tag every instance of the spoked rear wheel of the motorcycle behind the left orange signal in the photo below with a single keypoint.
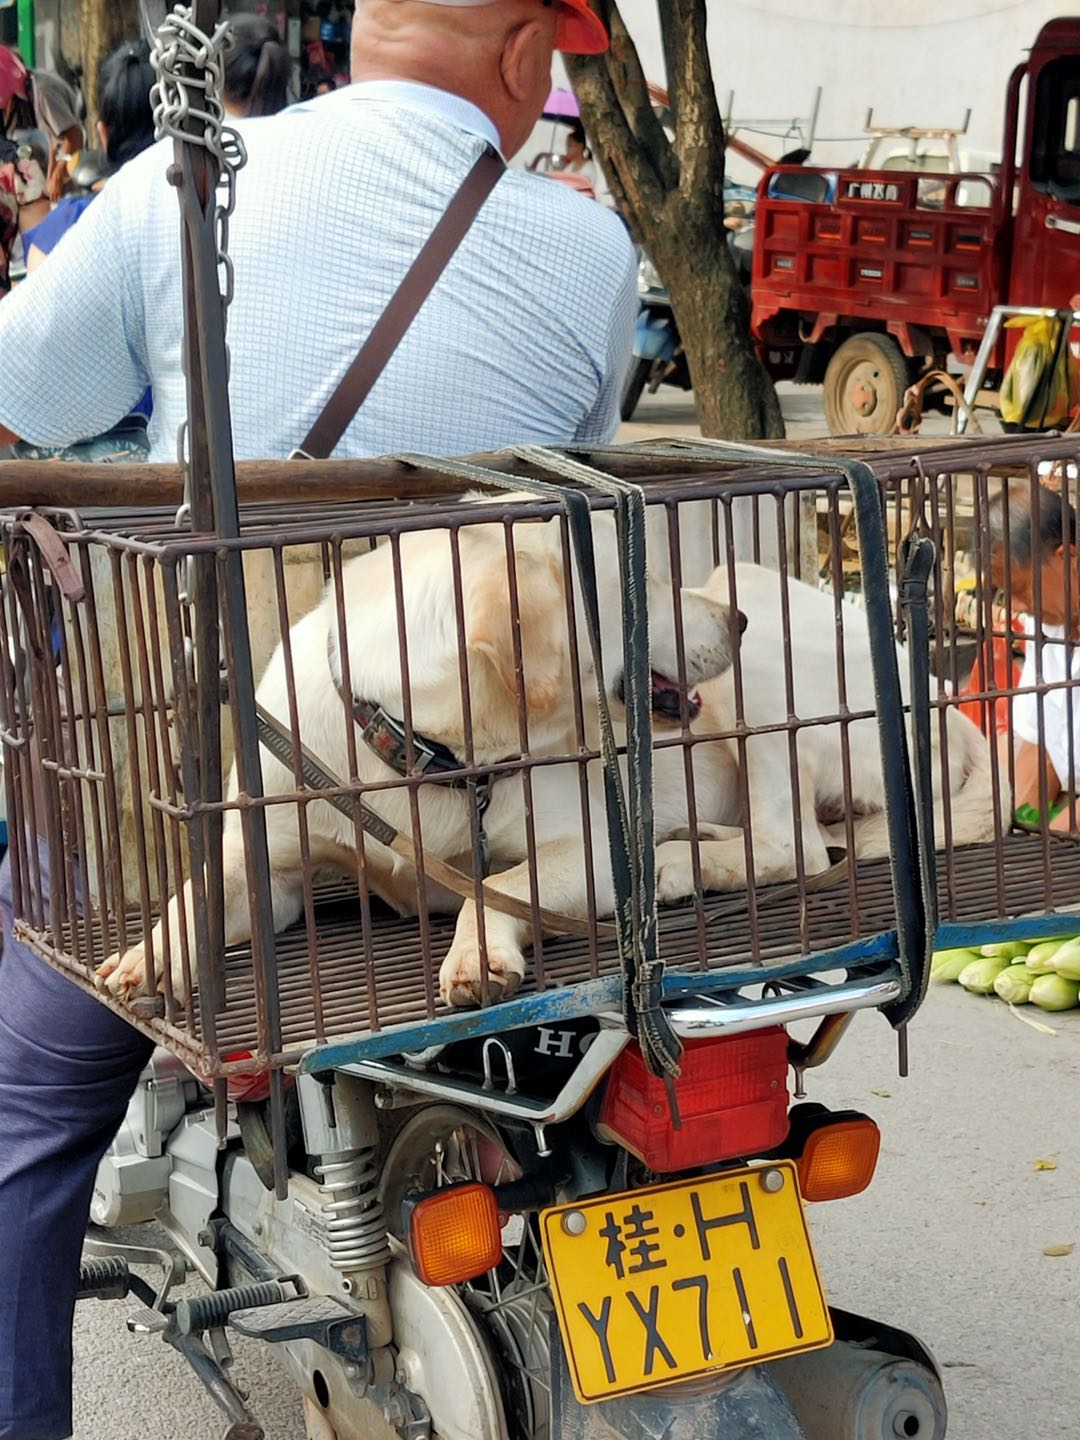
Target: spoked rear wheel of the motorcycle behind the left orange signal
[{"x": 446, "y": 1146}]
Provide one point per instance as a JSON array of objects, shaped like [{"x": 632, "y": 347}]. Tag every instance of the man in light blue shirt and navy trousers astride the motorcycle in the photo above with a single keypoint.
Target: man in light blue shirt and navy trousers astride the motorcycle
[{"x": 526, "y": 338}]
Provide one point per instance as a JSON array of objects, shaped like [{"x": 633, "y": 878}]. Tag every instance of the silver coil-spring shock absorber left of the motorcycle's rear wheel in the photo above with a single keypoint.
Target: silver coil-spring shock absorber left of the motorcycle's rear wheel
[{"x": 341, "y": 1134}]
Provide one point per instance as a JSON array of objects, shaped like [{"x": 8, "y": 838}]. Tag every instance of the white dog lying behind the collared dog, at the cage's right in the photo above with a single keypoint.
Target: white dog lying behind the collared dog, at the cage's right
[{"x": 811, "y": 643}]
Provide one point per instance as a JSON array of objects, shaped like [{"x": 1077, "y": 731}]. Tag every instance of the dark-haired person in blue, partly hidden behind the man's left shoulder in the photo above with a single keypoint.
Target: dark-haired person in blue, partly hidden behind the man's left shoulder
[{"x": 126, "y": 130}]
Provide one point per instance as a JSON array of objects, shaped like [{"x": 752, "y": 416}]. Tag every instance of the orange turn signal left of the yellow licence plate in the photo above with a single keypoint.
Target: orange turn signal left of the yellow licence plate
[{"x": 456, "y": 1235}]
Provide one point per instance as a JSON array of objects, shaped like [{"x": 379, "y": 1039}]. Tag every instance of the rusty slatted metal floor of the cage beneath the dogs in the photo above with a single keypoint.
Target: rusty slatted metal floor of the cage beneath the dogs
[{"x": 1027, "y": 876}]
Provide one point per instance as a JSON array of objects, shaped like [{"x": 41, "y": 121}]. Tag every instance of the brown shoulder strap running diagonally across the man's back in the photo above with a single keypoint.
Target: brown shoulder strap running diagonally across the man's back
[{"x": 405, "y": 305}]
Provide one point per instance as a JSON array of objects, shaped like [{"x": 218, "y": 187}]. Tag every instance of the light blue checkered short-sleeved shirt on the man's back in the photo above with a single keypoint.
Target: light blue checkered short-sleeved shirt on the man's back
[{"x": 526, "y": 338}]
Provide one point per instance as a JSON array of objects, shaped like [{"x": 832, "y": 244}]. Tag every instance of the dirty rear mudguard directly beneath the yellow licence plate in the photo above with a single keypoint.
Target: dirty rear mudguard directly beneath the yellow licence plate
[{"x": 747, "y": 1403}]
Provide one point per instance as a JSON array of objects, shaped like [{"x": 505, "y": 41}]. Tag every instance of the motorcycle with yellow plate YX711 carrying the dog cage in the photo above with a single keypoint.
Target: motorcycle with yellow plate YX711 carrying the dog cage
[{"x": 523, "y": 1238}]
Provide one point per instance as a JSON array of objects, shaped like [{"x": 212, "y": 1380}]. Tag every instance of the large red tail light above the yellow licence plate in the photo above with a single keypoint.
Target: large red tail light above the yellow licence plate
[{"x": 732, "y": 1102}]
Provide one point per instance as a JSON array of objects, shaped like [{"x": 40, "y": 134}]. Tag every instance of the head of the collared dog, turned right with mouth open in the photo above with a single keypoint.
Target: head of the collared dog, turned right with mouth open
[{"x": 493, "y": 610}]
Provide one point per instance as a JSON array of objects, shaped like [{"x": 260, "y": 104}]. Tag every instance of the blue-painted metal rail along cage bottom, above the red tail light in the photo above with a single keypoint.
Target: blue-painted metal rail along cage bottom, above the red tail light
[{"x": 587, "y": 999}]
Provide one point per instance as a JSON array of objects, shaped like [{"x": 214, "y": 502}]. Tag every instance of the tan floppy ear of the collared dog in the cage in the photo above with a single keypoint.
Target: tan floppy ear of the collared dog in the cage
[{"x": 542, "y": 616}]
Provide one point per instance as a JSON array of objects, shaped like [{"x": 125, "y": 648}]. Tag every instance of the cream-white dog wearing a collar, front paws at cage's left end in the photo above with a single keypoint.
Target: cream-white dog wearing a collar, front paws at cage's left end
[{"x": 502, "y": 669}]
